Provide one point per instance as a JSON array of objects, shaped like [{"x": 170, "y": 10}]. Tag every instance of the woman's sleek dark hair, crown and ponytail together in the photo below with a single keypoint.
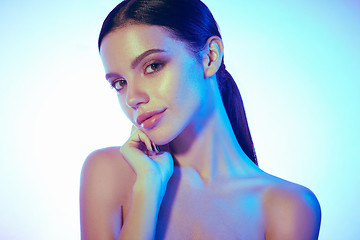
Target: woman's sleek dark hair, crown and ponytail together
[{"x": 192, "y": 22}]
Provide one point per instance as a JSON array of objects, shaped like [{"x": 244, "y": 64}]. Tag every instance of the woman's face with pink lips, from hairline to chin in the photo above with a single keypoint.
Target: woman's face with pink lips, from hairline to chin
[{"x": 160, "y": 84}]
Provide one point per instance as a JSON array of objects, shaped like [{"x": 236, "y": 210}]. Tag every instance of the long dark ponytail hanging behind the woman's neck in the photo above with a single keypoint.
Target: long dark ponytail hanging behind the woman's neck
[{"x": 234, "y": 106}]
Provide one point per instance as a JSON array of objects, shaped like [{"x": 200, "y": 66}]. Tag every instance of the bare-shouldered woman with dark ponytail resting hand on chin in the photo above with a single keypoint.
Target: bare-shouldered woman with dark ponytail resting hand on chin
[{"x": 189, "y": 169}]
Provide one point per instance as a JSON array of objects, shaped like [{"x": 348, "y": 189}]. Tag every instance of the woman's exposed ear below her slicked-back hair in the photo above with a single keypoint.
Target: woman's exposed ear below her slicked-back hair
[{"x": 212, "y": 56}]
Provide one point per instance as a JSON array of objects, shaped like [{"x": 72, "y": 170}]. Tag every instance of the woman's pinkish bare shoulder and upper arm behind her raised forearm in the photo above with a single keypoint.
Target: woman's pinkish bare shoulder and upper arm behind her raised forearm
[{"x": 106, "y": 183}]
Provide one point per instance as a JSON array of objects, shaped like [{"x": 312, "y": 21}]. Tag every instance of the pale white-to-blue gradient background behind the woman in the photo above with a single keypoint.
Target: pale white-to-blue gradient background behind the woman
[{"x": 297, "y": 64}]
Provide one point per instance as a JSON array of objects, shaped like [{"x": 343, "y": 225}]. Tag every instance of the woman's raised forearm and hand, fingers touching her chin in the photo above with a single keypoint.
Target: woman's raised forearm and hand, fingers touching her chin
[{"x": 153, "y": 170}]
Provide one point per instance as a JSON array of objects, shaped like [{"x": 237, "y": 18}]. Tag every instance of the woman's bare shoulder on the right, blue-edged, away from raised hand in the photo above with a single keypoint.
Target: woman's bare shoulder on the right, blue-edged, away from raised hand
[{"x": 291, "y": 211}]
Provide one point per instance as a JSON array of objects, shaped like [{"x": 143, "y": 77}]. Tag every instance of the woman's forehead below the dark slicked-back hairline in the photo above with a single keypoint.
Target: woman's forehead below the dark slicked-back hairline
[{"x": 124, "y": 48}]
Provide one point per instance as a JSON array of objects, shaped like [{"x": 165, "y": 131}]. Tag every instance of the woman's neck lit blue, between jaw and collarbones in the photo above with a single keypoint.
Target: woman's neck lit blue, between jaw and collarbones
[{"x": 208, "y": 145}]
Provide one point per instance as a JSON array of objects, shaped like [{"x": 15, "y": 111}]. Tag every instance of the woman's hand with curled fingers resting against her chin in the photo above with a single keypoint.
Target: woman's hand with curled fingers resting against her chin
[{"x": 151, "y": 166}]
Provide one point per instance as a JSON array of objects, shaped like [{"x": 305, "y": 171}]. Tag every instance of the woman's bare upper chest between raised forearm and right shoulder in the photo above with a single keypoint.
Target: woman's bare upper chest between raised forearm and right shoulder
[{"x": 223, "y": 210}]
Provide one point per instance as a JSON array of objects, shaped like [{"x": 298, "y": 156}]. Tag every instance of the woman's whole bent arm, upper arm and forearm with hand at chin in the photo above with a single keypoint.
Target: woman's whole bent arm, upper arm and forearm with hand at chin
[{"x": 105, "y": 187}]
